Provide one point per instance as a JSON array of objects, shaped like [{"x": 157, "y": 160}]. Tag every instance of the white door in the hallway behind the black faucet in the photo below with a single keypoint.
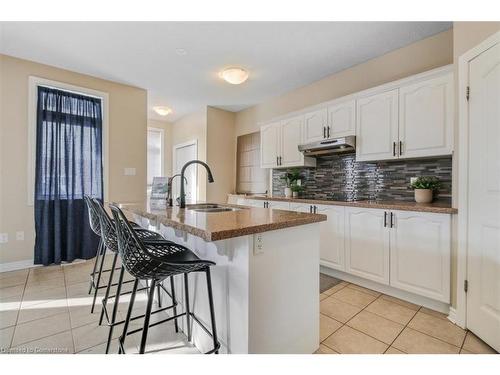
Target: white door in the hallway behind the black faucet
[{"x": 182, "y": 154}]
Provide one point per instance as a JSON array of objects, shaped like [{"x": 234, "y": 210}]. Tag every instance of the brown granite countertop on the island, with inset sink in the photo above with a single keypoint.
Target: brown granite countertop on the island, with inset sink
[{"x": 217, "y": 226}]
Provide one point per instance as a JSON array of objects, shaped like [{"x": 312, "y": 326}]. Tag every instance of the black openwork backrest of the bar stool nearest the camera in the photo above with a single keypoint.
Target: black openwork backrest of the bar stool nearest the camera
[{"x": 134, "y": 256}]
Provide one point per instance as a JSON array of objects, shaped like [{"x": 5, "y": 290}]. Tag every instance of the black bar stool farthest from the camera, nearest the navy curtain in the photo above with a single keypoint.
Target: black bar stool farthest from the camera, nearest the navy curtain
[{"x": 96, "y": 274}]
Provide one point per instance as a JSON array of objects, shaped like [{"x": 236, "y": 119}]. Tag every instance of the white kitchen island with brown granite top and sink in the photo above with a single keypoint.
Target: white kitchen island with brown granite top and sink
[{"x": 266, "y": 278}]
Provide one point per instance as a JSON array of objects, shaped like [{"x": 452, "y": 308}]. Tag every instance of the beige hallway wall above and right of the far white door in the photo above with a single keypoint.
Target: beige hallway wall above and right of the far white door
[{"x": 188, "y": 128}]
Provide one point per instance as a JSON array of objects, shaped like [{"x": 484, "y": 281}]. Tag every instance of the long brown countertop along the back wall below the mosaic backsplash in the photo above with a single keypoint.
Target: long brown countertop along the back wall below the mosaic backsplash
[{"x": 435, "y": 207}]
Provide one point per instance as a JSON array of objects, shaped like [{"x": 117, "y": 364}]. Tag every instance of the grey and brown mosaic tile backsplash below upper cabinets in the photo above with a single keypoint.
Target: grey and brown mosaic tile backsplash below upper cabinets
[{"x": 340, "y": 177}]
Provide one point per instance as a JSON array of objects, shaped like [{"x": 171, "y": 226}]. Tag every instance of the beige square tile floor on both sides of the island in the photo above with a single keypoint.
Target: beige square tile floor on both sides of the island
[{"x": 47, "y": 310}]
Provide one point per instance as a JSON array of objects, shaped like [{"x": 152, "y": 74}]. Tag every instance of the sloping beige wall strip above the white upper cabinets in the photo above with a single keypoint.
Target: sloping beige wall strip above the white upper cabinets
[{"x": 424, "y": 55}]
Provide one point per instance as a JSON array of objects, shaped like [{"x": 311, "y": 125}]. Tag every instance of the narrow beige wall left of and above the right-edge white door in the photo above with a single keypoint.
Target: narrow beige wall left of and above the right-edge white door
[{"x": 466, "y": 35}]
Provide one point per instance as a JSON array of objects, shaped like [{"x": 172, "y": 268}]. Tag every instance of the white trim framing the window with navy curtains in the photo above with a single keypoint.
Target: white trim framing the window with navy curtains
[{"x": 33, "y": 83}]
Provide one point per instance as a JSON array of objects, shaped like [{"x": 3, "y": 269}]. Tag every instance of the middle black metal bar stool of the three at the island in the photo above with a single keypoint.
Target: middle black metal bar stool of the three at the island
[{"x": 108, "y": 232}]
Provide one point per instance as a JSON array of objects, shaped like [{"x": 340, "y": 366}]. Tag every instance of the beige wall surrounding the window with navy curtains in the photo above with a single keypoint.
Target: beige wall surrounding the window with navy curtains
[{"x": 127, "y": 146}]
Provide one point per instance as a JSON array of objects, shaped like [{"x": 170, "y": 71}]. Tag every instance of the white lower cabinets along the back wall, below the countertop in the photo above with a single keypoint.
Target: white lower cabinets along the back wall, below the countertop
[{"x": 404, "y": 249}]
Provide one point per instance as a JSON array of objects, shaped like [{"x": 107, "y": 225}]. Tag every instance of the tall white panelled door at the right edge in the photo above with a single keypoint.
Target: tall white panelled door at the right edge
[{"x": 483, "y": 263}]
